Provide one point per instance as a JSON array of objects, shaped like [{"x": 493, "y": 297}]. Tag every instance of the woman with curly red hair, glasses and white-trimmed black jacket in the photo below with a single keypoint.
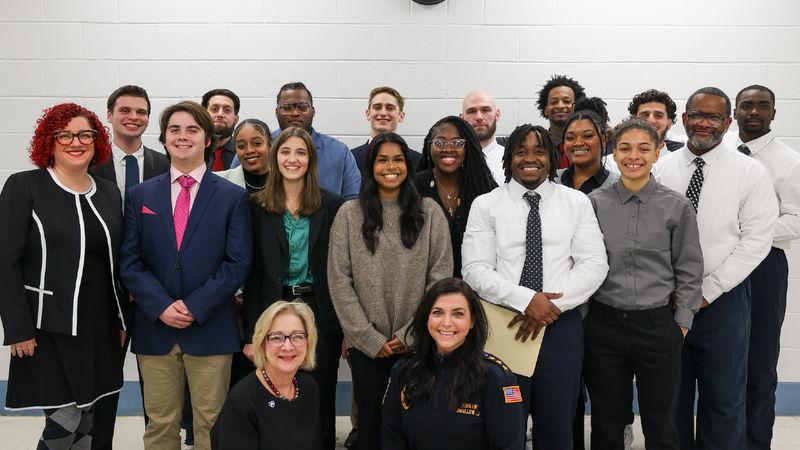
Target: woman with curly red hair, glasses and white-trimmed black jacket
[{"x": 62, "y": 307}]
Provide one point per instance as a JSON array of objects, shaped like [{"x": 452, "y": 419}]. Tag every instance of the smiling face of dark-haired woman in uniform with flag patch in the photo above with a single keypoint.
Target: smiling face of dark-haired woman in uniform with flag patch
[{"x": 449, "y": 322}]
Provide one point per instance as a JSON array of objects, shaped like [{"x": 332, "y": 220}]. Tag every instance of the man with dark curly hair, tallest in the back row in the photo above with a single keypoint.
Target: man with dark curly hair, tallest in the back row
[{"x": 556, "y": 102}]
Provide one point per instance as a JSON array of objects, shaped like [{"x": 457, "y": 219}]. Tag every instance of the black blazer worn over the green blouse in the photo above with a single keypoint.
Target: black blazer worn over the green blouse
[{"x": 264, "y": 286}]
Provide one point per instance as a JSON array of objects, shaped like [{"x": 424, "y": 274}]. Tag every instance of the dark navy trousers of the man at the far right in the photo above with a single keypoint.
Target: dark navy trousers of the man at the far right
[{"x": 769, "y": 283}]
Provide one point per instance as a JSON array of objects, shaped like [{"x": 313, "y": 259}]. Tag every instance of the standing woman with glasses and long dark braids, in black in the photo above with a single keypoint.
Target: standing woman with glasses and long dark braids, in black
[{"x": 453, "y": 172}]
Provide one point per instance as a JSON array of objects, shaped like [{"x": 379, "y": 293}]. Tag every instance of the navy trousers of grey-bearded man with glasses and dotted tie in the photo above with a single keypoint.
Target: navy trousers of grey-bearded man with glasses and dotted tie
[{"x": 714, "y": 371}]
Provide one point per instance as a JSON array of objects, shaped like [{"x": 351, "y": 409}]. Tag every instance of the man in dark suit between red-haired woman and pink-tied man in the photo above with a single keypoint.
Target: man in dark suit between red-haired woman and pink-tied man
[{"x": 129, "y": 114}]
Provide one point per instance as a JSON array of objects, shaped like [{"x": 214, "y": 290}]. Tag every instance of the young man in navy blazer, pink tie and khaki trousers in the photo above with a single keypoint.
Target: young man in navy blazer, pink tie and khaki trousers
[{"x": 187, "y": 249}]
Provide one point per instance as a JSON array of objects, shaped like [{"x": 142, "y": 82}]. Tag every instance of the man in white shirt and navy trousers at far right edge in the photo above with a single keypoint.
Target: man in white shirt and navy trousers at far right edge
[{"x": 755, "y": 110}]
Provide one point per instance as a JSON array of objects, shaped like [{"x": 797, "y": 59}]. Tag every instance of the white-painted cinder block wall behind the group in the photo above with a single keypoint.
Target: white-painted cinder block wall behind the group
[{"x": 55, "y": 50}]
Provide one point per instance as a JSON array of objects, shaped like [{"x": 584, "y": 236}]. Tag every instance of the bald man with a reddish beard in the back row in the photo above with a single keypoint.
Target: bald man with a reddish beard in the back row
[{"x": 482, "y": 113}]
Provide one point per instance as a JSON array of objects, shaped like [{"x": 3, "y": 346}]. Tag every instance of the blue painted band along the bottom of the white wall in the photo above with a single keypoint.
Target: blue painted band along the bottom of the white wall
[{"x": 130, "y": 401}]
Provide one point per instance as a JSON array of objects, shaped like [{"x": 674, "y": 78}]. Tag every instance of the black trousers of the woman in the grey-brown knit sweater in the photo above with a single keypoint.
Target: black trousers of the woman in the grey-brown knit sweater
[{"x": 370, "y": 378}]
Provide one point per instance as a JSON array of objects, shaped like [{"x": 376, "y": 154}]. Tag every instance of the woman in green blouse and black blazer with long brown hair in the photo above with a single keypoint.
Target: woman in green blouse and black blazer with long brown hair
[{"x": 292, "y": 217}]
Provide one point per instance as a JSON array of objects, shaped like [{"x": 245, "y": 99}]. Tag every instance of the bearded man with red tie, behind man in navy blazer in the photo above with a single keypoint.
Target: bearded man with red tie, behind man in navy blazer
[{"x": 223, "y": 105}]
